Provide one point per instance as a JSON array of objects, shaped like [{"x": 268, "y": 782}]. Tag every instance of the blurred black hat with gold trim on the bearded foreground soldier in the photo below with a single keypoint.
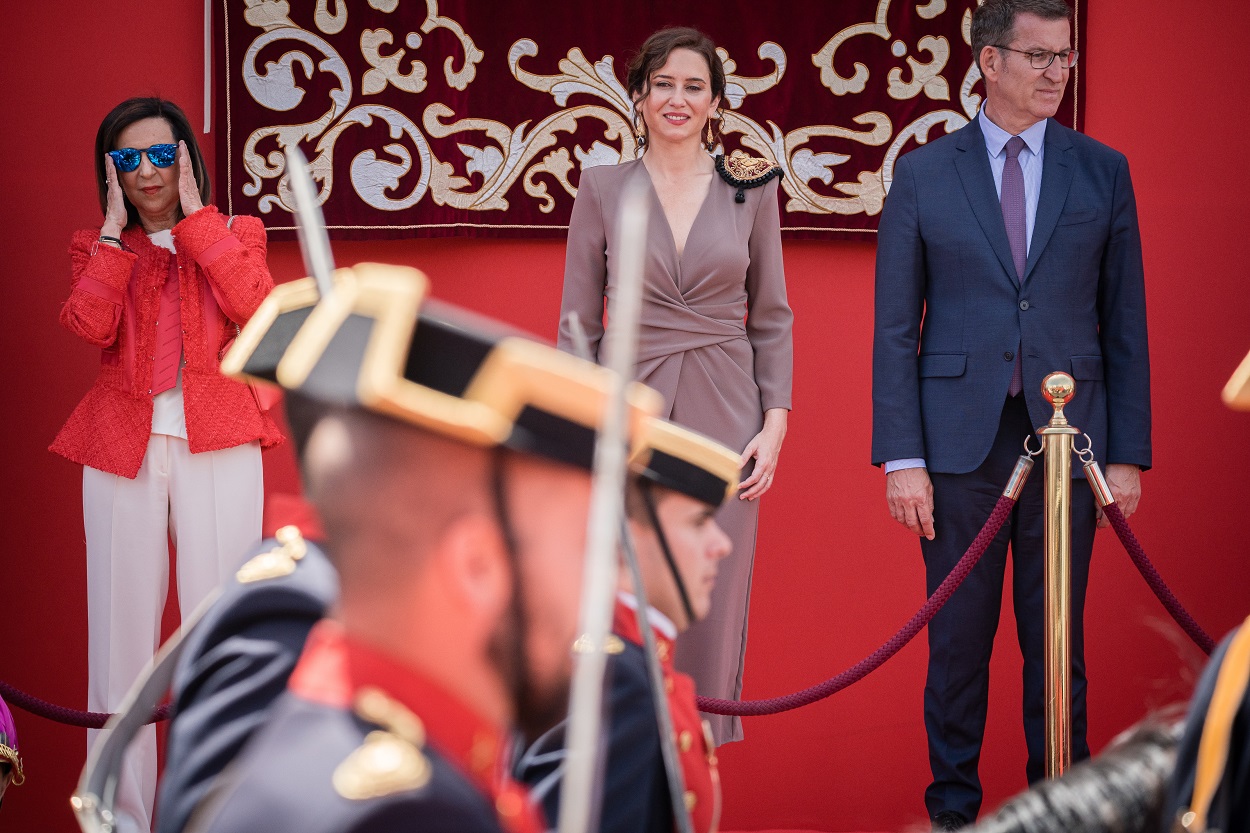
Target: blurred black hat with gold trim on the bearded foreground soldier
[{"x": 377, "y": 342}]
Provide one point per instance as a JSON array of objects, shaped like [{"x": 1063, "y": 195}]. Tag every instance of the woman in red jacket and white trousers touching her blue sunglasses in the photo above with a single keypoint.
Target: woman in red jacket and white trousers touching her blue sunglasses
[{"x": 171, "y": 448}]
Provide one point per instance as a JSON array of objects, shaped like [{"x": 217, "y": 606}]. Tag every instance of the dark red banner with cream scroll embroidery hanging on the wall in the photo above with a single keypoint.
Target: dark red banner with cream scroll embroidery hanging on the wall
[{"x": 468, "y": 117}]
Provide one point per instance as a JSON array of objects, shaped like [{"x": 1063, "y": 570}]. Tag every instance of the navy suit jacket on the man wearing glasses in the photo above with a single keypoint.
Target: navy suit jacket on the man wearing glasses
[{"x": 952, "y": 312}]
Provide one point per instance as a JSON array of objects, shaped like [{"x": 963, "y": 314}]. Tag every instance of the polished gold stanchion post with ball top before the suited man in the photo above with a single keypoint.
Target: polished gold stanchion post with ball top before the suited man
[{"x": 1057, "y": 440}]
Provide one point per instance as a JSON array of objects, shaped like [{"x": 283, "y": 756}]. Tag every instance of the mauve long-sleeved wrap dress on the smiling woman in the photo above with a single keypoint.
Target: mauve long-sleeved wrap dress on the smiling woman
[{"x": 718, "y": 372}]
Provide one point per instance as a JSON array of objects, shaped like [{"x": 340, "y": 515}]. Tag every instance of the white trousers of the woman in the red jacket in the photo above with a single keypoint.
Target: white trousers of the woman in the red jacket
[{"x": 211, "y": 506}]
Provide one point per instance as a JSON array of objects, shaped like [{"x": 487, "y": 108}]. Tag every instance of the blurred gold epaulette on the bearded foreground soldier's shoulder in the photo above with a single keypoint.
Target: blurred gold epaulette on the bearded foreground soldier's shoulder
[{"x": 391, "y": 760}]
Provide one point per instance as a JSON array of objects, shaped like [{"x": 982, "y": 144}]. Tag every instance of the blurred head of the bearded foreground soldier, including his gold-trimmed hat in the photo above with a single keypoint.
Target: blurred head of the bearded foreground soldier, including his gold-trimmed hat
[{"x": 449, "y": 461}]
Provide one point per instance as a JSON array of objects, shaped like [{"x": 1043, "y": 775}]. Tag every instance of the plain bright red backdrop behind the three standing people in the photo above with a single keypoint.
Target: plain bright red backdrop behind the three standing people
[{"x": 836, "y": 576}]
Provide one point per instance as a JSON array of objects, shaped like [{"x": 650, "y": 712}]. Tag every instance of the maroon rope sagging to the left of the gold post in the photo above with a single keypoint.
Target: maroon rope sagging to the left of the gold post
[{"x": 874, "y": 661}]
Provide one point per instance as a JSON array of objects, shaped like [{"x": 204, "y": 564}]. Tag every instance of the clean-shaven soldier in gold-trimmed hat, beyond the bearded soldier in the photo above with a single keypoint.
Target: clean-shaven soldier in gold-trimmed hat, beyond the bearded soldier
[{"x": 683, "y": 480}]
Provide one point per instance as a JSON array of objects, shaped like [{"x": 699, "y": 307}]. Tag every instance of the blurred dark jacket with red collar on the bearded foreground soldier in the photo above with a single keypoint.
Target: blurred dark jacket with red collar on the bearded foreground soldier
[{"x": 366, "y": 744}]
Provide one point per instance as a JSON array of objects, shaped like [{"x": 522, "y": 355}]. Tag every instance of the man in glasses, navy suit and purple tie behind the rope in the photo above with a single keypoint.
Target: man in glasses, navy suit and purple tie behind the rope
[{"x": 1007, "y": 251}]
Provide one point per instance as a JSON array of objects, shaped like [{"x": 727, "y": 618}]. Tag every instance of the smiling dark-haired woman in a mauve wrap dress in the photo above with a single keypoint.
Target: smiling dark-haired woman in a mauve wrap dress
[{"x": 716, "y": 331}]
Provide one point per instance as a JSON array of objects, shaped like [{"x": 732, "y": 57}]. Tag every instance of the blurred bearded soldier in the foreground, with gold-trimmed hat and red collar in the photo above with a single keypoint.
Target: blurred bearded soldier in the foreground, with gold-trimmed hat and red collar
[{"x": 449, "y": 463}]
